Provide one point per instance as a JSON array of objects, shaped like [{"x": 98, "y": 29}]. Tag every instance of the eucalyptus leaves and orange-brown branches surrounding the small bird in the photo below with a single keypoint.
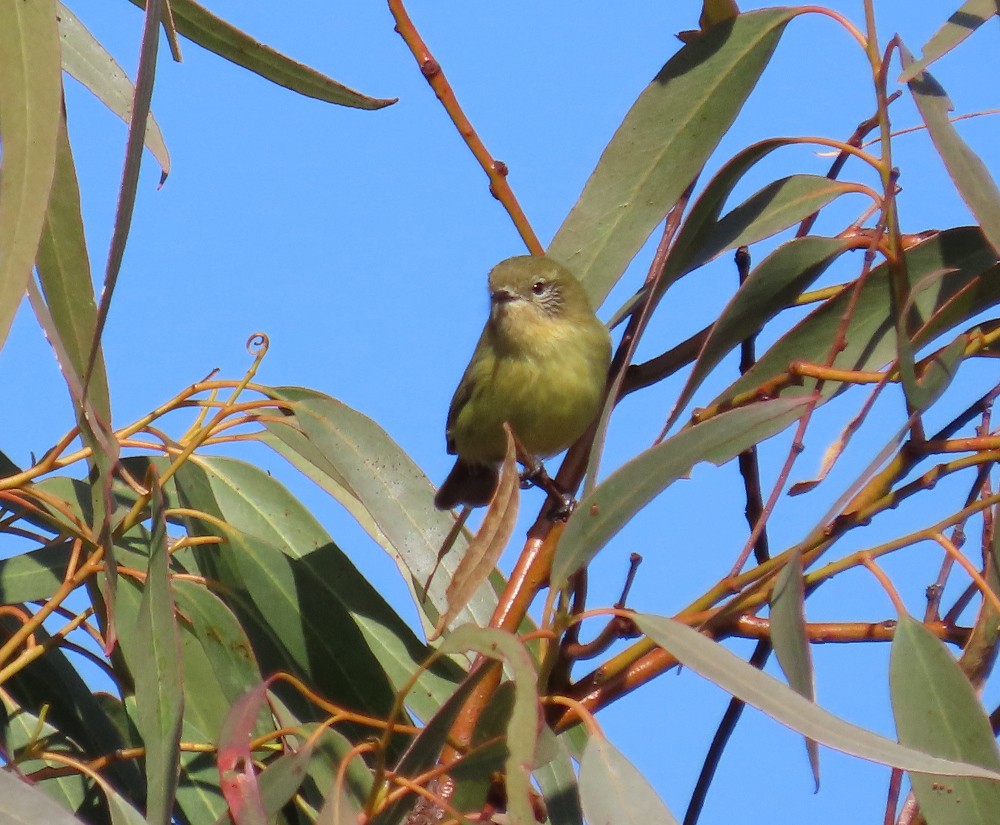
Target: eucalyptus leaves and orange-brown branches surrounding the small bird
[{"x": 228, "y": 659}]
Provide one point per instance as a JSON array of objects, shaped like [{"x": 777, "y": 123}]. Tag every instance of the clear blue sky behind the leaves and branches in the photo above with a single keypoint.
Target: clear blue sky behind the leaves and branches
[{"x": 360, "y": 242}]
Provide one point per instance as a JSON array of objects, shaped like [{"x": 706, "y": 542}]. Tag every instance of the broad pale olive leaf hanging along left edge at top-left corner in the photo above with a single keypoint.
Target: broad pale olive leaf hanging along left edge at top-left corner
[{"x": 30, "y": 101}]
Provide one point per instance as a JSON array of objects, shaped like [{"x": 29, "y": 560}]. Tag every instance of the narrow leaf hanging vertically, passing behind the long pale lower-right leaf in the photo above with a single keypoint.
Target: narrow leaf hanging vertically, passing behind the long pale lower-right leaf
[{"x": 791, "y": 645}]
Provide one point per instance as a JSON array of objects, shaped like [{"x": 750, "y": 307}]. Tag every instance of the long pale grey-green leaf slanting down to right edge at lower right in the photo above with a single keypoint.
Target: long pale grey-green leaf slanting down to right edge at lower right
[{"x": 713, "y": 662}]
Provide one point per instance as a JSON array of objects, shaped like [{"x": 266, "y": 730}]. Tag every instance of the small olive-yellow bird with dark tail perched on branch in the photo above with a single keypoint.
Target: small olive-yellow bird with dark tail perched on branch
[{"x": 541, "y": 365}]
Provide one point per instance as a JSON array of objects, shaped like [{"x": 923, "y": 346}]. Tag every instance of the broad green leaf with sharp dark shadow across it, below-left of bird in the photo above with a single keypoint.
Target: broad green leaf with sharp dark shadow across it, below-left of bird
[{"x": 291, "y": 584}]
